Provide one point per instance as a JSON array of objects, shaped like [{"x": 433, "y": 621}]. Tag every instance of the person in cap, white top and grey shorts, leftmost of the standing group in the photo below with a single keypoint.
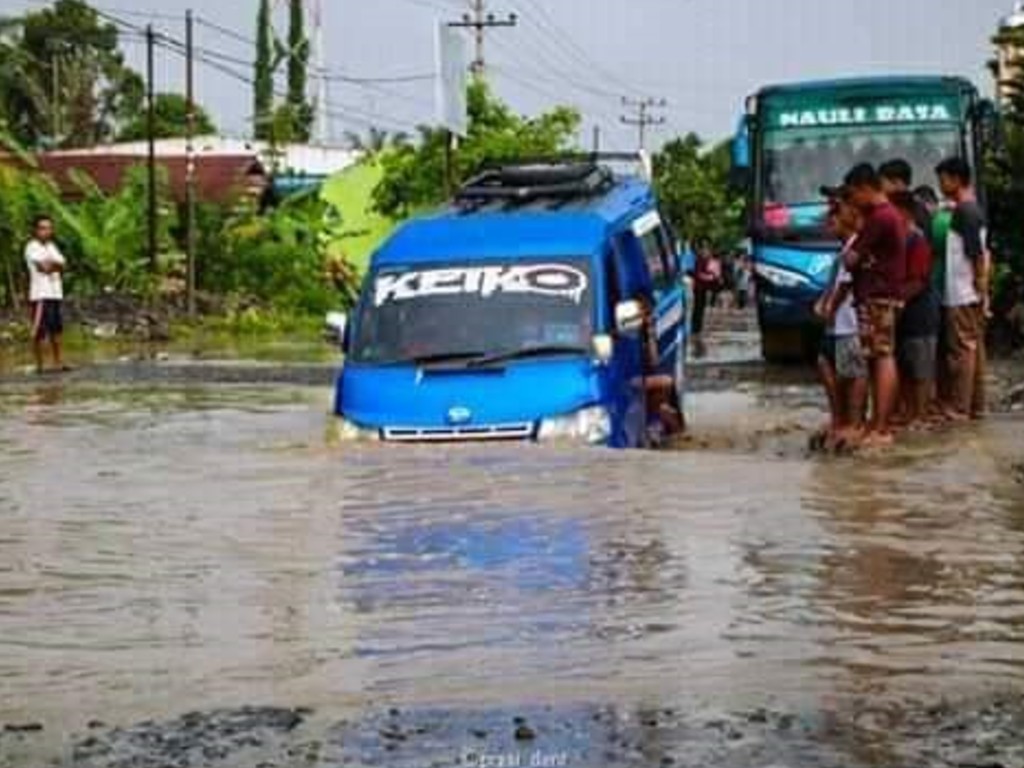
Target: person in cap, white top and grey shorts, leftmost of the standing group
[{"x": 842, "y": 364}]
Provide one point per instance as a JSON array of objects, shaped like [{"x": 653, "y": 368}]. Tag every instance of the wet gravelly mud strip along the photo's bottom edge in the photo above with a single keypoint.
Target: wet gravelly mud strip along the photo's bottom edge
[{"x": 968, "y": 736}]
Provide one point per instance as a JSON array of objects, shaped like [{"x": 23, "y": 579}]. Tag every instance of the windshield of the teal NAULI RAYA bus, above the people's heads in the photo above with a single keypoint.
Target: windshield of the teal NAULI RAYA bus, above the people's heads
[{"x": 798, "y": 162}]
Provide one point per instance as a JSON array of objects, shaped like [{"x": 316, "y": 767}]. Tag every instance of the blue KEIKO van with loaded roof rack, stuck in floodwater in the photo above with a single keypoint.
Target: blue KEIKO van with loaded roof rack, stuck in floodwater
[{"x": 519, "y": 314}]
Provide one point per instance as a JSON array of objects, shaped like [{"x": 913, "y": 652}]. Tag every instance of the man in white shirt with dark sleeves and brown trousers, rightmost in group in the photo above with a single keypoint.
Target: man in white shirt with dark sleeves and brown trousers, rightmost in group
[{"x": 965, "y": 279}]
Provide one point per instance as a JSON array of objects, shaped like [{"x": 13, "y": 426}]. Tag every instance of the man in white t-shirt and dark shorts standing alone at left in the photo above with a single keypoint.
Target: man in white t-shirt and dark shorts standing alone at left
[{"x": 47, "y": 266}]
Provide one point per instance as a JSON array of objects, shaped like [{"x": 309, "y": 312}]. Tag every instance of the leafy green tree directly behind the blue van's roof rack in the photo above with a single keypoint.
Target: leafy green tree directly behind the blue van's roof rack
[{"x": 414, "y": 177}]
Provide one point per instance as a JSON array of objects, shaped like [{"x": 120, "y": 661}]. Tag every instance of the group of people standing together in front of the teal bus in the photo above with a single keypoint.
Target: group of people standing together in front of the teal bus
[{"x": 908, "y": 305}]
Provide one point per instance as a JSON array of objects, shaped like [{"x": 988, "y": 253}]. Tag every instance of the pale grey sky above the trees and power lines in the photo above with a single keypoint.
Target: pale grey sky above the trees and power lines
[{"x": 703, "y": 56}]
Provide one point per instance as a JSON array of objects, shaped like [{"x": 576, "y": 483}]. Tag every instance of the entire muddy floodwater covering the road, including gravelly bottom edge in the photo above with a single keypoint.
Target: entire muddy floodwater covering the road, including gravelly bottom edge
[{"x": 194, "y": 574}]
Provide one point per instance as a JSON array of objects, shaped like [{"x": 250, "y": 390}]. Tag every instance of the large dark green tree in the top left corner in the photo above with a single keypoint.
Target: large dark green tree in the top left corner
[{"x": 72, "y": 87}]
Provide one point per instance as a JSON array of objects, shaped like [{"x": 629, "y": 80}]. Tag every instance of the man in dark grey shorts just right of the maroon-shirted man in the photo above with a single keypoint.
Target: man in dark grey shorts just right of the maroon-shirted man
[{"x": 918, "y": 330}]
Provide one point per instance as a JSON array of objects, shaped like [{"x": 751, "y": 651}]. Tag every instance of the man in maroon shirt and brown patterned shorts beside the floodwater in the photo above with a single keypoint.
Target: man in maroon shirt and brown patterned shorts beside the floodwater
[{"x": 878, "y": 264}]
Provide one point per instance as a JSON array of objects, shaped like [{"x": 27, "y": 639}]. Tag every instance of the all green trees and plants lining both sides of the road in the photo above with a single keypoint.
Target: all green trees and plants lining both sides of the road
[{"x": 283, "y": 267}]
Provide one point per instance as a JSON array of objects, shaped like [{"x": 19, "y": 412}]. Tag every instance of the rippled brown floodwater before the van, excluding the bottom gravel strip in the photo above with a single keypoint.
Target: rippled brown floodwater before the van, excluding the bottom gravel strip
[{"x": 165, "y": 550}]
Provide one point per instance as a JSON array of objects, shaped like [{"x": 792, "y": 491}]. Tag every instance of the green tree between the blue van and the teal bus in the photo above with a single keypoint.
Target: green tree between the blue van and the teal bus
[{"x": 693, "y": 185}]
